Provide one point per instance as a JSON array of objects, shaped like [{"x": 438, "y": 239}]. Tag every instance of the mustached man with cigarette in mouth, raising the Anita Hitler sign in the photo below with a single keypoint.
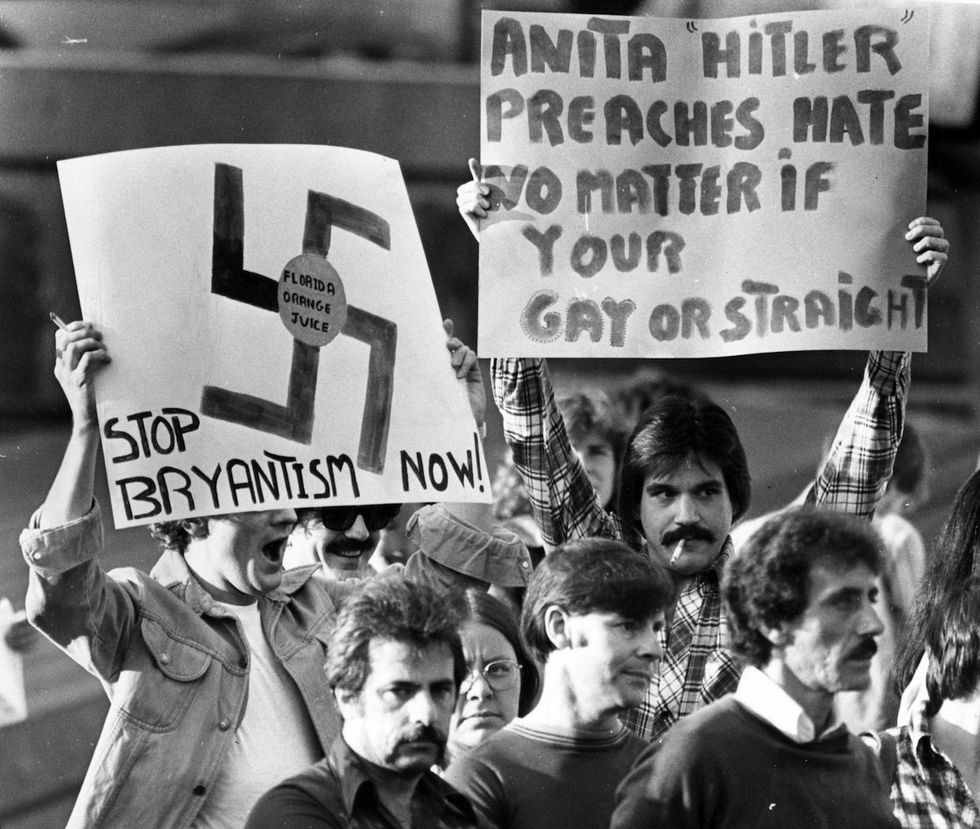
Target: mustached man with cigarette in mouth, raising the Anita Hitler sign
[{"x": 684, "y": 482}]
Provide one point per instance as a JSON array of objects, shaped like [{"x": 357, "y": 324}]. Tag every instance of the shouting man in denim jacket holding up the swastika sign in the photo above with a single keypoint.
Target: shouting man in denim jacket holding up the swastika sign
[{"x": 213, "y": 662}]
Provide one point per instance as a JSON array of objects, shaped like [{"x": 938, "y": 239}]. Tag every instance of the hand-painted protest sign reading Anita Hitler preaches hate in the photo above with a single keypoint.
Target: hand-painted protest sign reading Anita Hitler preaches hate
[{"x": 693, "y": 188}]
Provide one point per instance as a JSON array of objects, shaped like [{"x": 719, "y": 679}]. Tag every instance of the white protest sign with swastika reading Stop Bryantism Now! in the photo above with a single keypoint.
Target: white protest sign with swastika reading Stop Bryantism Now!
[{"x": 274, "y": 333}]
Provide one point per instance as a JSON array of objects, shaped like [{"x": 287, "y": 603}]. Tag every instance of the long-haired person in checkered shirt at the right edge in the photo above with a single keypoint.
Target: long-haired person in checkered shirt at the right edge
[{"x": 937, "y": 778}]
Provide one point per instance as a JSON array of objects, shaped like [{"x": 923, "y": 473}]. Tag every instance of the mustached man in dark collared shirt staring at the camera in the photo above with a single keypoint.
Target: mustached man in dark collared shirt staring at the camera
[{"x": 394, "y": 662}]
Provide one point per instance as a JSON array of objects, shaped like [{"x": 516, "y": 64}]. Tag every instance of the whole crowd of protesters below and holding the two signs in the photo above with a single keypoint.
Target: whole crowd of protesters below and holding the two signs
[{"x": 606, "y": 646}]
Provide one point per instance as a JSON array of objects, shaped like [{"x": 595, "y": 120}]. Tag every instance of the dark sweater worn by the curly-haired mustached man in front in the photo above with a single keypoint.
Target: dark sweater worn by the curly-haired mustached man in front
[{"x": 725, "y": 768}]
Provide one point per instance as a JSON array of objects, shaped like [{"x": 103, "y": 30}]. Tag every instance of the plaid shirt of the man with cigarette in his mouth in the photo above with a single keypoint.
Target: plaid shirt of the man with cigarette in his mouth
[{"x": 697, "y": 667}]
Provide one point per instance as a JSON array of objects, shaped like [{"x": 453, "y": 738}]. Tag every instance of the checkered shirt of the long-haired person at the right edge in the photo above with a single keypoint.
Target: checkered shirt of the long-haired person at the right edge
[{"x": 928, "y": 791}]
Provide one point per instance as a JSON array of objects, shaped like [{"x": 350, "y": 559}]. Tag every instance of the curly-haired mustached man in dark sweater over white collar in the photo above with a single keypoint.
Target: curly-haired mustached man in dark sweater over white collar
[{"x": 799, "y": 600}]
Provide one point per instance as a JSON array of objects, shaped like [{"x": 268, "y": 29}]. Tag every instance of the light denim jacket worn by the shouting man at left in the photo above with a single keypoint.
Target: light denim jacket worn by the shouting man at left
[{"x": 174, "y": 665}]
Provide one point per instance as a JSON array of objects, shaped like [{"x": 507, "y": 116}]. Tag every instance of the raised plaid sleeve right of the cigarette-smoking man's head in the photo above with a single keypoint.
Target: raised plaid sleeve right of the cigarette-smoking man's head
[{"x": 861, "y": 458}]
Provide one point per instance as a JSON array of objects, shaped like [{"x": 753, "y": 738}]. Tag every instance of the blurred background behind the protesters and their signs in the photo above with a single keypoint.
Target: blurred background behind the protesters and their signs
[{"x": 401, "y": 78}]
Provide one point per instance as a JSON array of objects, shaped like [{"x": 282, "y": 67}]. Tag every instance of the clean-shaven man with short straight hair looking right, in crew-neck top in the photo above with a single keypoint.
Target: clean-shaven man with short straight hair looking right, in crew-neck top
[{"x": 592, "y": 616}]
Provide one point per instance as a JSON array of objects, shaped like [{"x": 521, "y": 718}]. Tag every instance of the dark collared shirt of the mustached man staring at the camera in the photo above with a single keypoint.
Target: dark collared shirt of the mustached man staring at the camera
[{"x": 341, "y": 791}]
